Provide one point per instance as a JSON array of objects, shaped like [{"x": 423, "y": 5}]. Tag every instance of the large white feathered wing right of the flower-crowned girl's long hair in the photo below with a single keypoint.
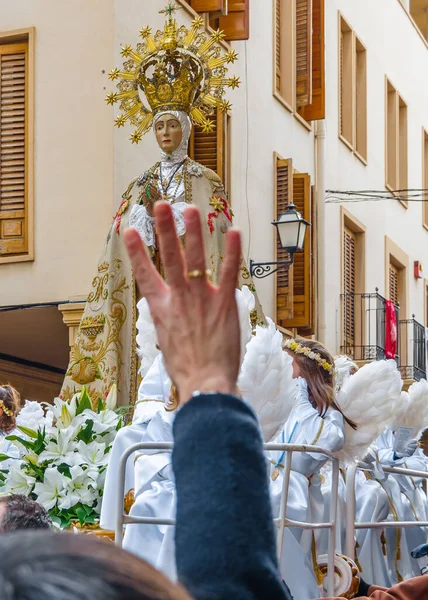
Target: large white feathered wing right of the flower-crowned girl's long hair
[{"x": 371, "y": 398}]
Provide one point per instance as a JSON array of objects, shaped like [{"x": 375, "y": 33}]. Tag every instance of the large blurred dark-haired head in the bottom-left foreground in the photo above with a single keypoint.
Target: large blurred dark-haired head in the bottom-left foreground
[{"x": 59, "y": 566}]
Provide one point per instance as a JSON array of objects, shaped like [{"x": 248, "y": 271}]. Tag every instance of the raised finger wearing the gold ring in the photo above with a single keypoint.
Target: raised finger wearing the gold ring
[{"x": 195, "y": 251}]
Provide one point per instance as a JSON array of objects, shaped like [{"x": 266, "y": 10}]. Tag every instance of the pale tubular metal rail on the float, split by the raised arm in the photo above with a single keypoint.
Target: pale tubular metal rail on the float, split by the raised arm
[{"x": 280, "y": 523}]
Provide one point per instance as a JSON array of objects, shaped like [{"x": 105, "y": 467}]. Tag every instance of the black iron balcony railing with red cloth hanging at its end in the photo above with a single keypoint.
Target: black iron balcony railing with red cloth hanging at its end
[{"x": 364, "y": 326}]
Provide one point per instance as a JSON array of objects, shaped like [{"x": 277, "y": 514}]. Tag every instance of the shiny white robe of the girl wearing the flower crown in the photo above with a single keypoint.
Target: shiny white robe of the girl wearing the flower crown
[{"x": 305, "y": 501}]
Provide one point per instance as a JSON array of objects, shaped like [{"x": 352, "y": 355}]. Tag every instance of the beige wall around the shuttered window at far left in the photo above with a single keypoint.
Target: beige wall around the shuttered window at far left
[{"x": 73, "y": 146}]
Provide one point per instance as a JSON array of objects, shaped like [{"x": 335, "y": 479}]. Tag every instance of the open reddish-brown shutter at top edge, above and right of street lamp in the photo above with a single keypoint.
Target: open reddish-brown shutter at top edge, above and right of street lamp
[{"x": 315, "y": 110}]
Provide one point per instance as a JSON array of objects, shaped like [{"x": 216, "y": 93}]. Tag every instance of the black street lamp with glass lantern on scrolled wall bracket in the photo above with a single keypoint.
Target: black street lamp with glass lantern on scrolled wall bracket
[{"x": 291, "y": 229}]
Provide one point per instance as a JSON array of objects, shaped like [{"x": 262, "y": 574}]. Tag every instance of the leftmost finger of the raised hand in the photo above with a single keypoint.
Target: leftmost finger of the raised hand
[{"x": 148, "y": 279}]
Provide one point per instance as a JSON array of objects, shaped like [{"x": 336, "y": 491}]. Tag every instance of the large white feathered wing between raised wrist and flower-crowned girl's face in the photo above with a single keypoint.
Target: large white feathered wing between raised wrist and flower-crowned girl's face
[{"x": 266, "y": 379}]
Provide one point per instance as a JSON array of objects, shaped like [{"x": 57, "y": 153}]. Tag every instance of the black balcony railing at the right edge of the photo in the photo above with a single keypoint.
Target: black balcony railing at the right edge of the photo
[{"x": 412, "y": 349}]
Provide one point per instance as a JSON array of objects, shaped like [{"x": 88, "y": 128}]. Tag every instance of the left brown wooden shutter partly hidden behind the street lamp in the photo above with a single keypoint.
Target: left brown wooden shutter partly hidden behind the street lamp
[{"x": 284, "y": 280}]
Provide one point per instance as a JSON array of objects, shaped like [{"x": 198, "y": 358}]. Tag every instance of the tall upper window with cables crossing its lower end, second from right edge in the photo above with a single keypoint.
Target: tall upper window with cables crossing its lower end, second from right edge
[{"x": 396, "y": 144}]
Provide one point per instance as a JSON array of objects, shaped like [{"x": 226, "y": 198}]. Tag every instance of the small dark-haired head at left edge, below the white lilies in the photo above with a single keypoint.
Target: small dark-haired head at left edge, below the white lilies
[{"x": 20, "y": 512}]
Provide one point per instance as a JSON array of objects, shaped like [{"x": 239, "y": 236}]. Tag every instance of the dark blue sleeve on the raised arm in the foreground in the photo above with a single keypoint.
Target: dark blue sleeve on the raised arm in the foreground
[{"x": 225, "y": 542}]
